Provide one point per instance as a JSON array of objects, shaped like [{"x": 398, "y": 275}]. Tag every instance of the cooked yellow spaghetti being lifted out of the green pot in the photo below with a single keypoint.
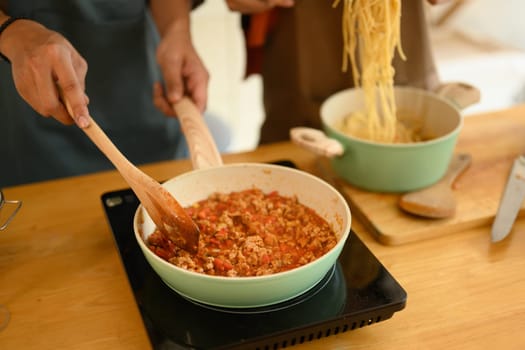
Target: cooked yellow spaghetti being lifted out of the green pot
[{"x": 371, "y": 35}]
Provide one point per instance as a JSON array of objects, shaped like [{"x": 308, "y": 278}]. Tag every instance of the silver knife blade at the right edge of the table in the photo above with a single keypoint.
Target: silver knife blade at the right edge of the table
[{"x": 511, "y": 201}]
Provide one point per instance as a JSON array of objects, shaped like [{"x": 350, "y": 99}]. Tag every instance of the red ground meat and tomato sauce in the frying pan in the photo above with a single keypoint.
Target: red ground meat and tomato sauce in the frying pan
[{"x": 250, "y": 233}]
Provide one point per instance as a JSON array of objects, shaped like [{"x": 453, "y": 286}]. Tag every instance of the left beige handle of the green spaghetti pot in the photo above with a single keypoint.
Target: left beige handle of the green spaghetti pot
[{"x": 316, "y": 141}]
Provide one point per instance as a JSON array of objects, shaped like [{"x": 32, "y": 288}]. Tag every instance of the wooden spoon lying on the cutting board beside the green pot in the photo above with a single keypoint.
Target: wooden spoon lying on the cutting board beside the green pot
[{"x": 437, "y": 201}]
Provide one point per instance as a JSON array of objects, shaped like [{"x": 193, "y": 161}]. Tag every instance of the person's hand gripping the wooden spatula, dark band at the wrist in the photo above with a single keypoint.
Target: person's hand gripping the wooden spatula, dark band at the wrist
[{"x": 42, "y": 62}]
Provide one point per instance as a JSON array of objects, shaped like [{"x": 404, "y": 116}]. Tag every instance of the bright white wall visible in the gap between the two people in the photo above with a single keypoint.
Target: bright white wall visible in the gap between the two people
[{"x": 219, "y": 40}]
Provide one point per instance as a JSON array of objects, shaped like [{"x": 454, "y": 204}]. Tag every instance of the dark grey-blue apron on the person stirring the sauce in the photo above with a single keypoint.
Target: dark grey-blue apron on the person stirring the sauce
[{"x": 117, "y": 38}]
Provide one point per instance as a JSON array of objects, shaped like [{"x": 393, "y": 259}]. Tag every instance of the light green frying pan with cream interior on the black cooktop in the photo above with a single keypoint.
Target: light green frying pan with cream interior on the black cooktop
[{"x": 211, "y": 175}]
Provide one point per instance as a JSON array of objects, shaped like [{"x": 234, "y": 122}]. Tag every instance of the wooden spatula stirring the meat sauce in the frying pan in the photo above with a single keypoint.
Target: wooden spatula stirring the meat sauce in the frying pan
[{"x": 167, "y": 214}]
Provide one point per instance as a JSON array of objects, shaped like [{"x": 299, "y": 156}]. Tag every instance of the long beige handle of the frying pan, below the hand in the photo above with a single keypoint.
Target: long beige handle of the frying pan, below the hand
[{"x": 203, "y": 150}]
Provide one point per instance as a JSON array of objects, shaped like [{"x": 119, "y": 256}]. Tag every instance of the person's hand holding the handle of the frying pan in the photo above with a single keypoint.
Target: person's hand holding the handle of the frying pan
[{"x": 183, "y": 71}]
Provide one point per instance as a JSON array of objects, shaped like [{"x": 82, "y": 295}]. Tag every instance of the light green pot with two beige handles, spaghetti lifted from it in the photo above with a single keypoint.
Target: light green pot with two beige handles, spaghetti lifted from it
[{"x": 389, "y": 167}]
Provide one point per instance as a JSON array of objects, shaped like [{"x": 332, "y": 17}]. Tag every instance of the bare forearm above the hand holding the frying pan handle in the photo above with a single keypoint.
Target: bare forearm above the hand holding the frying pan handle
[{"x": 168, "y": 13}]
